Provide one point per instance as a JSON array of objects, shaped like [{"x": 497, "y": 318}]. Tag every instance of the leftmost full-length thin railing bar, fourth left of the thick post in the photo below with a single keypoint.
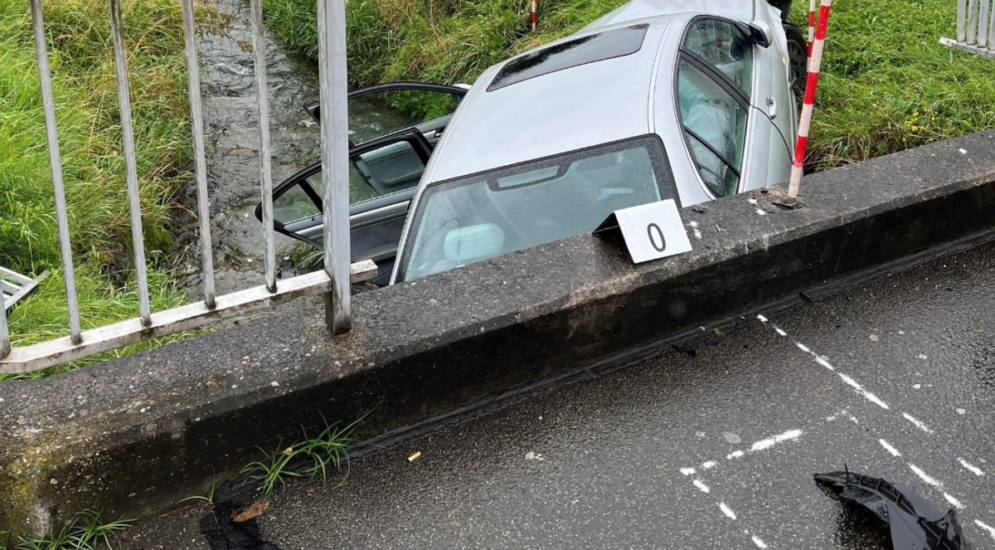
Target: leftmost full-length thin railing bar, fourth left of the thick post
[{"x": 55, "y": 163}]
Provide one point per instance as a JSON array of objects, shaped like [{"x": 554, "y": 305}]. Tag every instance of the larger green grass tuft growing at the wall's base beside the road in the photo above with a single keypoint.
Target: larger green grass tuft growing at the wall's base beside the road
[{"x": 306, "y": 458}]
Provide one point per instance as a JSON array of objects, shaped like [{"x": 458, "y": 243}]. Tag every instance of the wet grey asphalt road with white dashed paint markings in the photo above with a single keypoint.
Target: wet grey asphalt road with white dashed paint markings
[{"x": 894, "y": 378}]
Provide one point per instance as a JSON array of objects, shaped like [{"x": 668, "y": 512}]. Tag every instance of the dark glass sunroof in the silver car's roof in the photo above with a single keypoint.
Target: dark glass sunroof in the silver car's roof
[{"x": 572, "y": 53}]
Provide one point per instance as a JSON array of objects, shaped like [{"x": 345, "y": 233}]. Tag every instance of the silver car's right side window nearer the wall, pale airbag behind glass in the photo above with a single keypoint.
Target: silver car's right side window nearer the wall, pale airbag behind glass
[{"x": 715, "y": 128}]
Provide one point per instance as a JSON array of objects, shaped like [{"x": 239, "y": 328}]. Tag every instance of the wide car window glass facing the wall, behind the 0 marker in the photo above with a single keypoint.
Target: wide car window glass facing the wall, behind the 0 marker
[{"x": 473, "y": 218}]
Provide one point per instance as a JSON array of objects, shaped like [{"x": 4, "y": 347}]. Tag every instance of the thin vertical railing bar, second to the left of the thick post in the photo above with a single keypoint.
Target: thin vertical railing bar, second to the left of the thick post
[{"x": 200, "y": 162}]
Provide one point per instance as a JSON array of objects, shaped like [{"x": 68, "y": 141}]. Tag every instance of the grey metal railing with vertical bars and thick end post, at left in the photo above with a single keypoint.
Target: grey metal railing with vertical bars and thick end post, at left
[{"x": 332, "y": 282}]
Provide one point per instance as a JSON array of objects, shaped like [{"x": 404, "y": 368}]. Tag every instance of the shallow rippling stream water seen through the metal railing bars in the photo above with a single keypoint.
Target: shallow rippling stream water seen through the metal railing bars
[{"x": 231, "y": 126}]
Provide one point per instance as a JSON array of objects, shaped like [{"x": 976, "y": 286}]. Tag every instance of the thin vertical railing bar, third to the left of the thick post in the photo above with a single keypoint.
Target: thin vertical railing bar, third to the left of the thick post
[{"x": 131, "y": 167}]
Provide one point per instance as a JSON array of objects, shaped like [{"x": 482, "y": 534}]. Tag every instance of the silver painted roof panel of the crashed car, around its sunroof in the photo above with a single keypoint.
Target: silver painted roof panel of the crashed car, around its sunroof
[{"x": 550, "y": 114}]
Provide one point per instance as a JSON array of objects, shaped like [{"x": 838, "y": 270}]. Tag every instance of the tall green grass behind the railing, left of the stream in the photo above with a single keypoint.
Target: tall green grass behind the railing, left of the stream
[{"x": 90, "y": 143}]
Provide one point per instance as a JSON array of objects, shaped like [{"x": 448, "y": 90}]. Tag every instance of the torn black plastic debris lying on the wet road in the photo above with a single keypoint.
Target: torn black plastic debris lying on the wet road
[{"x": 915, "y": 524}]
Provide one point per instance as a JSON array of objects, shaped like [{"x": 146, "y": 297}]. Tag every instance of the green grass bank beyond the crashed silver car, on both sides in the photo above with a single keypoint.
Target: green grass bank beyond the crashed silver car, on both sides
[{"x": 886, "y": 83}]
